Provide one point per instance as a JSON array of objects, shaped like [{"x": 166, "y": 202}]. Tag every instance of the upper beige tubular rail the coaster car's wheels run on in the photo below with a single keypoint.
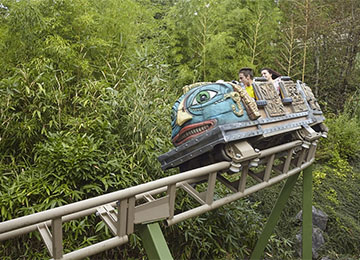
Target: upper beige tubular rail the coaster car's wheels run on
[{"x": 26, "y": 224}]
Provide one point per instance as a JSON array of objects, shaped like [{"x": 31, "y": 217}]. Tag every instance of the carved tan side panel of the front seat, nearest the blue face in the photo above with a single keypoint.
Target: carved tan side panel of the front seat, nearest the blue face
[{"x": 266, "y": 91}]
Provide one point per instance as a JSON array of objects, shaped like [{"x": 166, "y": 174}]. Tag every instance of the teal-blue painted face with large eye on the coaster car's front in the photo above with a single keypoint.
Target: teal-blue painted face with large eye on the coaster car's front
[{"x": 204, "y": 107}]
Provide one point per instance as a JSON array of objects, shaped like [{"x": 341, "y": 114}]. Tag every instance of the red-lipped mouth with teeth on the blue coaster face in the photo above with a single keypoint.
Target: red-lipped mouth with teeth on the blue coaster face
[{"x": 190, "y": 131}]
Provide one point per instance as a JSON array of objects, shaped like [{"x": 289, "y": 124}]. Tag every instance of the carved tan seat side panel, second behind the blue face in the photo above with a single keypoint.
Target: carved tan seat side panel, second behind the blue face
[{"x": 289, "y": 89}]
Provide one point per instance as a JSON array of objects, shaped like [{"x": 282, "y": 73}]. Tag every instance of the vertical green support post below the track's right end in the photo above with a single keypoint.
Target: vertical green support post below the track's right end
[{"x": 307, "y": 214}]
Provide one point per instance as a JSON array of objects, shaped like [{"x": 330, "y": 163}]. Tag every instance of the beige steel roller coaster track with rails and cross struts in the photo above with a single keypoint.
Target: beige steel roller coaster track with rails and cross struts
[{"x": 153, "y": 201}]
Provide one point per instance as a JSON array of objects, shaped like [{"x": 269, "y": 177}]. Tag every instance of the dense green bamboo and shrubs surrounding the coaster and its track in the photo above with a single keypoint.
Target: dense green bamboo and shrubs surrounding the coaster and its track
[{"x": 86, "y": 91}]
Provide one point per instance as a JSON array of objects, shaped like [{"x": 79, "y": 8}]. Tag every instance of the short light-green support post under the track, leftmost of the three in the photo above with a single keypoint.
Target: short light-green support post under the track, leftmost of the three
[{"x": 154, "y": 242}]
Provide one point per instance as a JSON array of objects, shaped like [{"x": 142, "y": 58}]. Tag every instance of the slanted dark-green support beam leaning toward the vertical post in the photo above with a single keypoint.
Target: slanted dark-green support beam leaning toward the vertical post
[{"x": 274, "y": 217}]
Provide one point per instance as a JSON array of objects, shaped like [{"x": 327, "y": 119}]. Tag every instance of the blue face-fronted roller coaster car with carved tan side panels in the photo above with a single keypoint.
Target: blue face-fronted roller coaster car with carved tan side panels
[{"x": 213, "y": 122}]
